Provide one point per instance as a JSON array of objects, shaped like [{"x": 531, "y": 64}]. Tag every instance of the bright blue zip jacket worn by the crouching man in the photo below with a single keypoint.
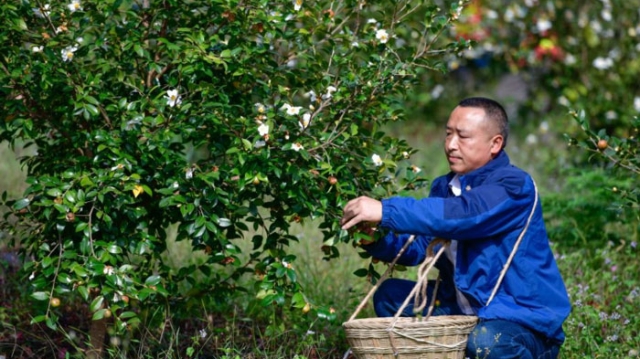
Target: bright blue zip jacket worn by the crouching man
[{"x": 486, "y": 219}]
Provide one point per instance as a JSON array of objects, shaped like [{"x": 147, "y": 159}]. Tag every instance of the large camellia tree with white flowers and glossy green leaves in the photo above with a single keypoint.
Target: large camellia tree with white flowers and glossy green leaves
[{"x": 230, "y": 119}]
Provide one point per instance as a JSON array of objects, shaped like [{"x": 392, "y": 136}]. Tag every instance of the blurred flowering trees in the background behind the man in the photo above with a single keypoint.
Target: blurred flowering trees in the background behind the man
[{"x": 560, "y": 68}]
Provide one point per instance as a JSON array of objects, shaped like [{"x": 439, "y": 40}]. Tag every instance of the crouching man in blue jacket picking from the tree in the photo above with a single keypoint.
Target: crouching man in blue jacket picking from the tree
[{"x": 483, "y": 205}]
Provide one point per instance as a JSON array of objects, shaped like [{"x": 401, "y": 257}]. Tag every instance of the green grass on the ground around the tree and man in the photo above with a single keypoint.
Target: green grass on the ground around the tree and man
[{"x": 600, "y": 274}]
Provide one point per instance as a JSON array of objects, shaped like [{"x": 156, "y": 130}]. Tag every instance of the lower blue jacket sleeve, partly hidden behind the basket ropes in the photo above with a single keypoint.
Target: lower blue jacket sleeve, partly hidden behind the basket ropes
[{"x": 387, "y": 247}]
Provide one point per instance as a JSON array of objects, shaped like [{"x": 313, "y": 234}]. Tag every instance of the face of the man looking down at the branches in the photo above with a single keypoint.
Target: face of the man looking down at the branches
[{"x": 472, "y": 141}]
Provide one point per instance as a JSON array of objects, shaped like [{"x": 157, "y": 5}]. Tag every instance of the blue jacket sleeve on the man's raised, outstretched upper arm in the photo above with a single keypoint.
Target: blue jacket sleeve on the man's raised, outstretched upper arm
[{"x": 485, "y": 211}]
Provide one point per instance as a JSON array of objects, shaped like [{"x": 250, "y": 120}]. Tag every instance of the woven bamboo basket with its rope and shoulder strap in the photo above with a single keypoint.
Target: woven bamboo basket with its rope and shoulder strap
[{"x": 428, "y": 337}]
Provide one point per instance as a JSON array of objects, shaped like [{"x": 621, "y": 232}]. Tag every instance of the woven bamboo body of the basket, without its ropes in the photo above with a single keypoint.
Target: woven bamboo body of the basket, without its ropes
[{"x": 441, "y": 337}]
